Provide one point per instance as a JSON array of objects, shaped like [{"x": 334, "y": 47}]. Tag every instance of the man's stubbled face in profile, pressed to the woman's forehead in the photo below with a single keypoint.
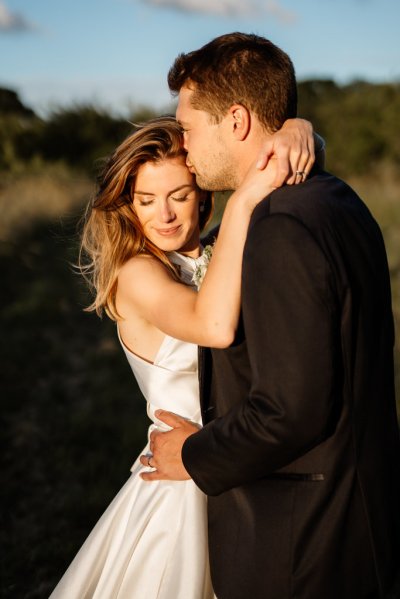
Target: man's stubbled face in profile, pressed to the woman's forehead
[{"x": 207, "y": 144}]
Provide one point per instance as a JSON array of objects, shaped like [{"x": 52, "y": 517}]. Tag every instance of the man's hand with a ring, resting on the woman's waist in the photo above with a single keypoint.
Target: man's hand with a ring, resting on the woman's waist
[{"x": 167, "y": 447}]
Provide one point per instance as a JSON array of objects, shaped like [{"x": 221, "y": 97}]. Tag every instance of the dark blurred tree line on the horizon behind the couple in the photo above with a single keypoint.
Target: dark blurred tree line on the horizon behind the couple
[{"x": 359, "y": 122}]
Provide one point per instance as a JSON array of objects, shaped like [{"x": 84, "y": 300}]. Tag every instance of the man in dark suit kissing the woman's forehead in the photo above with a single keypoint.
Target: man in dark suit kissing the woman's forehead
[{"x": 299, "y": 452}]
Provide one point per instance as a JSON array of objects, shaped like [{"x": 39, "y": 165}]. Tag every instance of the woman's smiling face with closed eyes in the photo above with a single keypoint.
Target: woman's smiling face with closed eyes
[{"x": 166, "y": 201}]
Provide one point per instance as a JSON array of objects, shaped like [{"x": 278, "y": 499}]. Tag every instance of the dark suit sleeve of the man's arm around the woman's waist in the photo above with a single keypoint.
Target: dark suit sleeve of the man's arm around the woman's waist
[{"x": 291, "y": 326}]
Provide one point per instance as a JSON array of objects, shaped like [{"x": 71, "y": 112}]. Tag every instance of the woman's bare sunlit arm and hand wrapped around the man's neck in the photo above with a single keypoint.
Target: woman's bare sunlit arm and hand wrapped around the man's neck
[{"x": 210, "y": 317}]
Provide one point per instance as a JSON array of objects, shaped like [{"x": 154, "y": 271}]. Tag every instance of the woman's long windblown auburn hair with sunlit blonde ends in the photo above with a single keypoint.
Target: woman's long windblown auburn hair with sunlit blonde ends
[{"x": 112, "y": 233}]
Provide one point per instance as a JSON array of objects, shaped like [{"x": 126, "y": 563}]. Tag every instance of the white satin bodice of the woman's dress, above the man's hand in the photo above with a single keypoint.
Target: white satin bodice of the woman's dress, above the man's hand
[{"x": 171, "y": 381}]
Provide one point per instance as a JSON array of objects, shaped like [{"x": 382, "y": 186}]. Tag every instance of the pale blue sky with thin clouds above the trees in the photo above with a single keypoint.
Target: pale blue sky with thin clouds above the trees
[{"x": 116, "y": 54}]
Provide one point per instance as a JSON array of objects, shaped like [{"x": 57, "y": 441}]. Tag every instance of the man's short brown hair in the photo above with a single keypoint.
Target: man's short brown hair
[{"x": 239, "y": 68}]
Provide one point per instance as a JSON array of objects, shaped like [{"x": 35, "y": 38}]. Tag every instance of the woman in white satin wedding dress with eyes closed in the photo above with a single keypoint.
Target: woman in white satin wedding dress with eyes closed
[{"x": 141, "y": 241}]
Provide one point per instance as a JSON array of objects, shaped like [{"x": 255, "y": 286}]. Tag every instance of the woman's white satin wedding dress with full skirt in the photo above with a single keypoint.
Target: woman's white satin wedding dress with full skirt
[{"x": 151, "y": 542}]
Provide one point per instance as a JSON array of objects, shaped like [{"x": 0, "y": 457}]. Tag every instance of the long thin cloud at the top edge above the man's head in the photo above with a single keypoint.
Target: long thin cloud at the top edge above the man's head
[{"x": 228, "y": 8}]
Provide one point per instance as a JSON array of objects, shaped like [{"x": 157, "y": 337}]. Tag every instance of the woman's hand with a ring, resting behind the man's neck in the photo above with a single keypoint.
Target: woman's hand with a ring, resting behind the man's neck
[{"x": 293, "y": 148}]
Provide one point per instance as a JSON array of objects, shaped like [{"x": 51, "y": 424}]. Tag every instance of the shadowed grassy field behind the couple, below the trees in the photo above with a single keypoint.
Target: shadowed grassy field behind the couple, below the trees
[{"x": 72, "y": 414}]
